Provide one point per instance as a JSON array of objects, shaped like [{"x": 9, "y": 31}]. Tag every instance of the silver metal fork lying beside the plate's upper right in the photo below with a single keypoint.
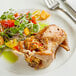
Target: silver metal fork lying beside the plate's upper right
[{"x": 55, "y": 5}]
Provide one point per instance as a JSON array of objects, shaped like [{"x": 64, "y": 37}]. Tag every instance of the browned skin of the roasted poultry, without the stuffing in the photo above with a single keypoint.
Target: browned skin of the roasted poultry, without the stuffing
[{"x": 51, "y": 37}]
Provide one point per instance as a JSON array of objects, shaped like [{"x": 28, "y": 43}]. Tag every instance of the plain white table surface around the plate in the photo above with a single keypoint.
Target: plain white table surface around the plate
[{"x": 68, "y": 69}]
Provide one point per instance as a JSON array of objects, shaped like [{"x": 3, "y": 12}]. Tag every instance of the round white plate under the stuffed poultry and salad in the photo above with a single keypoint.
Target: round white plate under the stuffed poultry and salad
[{"x": 21, "y": 67}]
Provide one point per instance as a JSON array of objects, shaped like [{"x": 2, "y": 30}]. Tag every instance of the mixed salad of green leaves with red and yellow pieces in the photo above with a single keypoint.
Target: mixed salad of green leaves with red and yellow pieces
[{"x": 16, "y": 27}]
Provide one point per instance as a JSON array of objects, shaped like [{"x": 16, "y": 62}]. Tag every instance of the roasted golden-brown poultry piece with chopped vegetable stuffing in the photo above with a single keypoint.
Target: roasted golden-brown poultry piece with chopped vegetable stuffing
[{"x": 42, "y": 47}]
